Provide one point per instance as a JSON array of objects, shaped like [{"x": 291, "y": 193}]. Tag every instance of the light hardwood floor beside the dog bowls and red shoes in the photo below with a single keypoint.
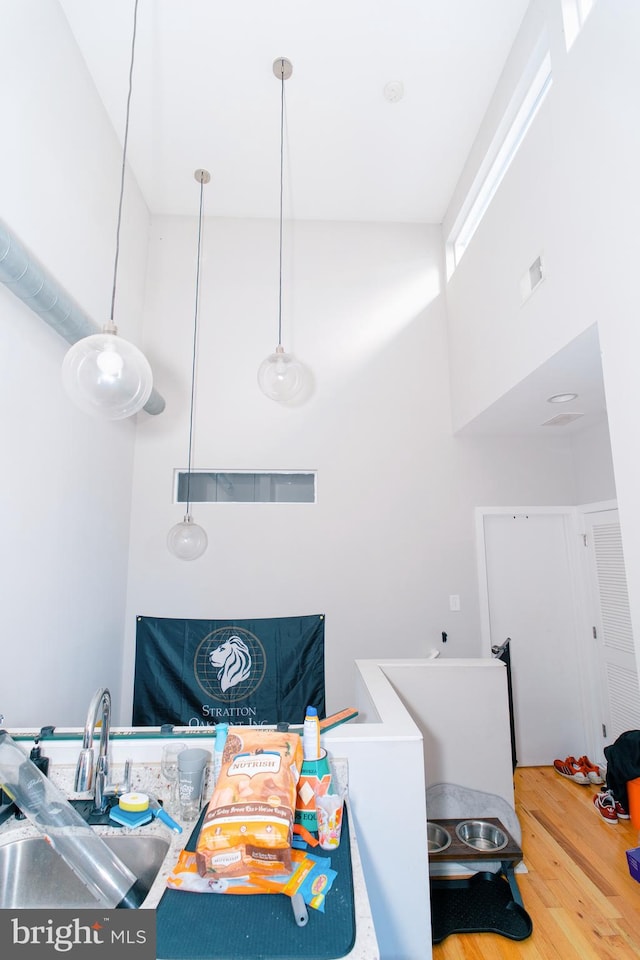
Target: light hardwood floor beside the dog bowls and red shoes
[{"x": 583, "y": 902}]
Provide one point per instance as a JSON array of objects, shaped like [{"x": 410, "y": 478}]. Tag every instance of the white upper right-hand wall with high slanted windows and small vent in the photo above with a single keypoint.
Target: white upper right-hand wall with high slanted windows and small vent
[{"x": 572, "y": 192}]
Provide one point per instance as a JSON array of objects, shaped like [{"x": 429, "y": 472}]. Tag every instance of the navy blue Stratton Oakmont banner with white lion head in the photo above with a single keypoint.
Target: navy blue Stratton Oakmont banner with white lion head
[{"x": 201, "y": 672}]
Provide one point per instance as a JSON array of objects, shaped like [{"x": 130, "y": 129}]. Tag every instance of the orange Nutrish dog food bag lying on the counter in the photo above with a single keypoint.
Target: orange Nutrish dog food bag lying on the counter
[{"x": 248, "y": 826}]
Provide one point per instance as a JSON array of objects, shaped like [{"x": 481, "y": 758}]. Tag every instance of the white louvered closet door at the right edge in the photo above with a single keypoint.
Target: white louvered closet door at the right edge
[{"x": 619, "y": 673}]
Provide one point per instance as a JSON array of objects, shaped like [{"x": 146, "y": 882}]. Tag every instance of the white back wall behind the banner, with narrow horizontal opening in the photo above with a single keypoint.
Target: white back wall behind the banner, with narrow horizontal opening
[{"x": 392, "y": 533}]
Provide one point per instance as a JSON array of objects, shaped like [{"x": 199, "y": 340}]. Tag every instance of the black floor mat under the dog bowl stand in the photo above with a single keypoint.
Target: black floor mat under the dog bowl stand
[{"x": 482, "y": 903}]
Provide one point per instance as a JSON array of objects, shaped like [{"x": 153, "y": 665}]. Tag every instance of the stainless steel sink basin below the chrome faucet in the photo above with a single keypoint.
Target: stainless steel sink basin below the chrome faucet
[{"x": 33, "y": 875}]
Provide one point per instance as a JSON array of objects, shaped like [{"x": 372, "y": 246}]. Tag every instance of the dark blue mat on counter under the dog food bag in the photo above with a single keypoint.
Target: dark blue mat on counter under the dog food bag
[{"x": 210, "y": 926}]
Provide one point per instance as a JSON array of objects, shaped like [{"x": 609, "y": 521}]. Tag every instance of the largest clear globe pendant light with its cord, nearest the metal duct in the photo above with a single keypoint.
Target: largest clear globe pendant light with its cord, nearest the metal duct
[{"x": 103, "y": 374}]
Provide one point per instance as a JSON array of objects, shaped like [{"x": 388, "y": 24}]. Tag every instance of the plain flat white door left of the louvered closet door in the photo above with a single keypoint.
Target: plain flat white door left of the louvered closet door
[{"x": 530, "y": 600}]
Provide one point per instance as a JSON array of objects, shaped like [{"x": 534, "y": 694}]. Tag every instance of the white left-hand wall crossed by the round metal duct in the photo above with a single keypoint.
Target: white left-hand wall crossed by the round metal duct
[{"x": 66, "y": 480}]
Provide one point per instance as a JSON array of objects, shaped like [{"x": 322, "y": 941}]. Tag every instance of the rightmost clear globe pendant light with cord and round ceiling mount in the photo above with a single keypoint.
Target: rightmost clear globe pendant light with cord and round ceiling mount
[{"x": 281, "y": 376}]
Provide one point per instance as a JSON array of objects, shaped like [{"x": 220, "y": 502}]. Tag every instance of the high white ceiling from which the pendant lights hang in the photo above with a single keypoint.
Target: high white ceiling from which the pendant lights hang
[{"x": 205, "y": 95}]
